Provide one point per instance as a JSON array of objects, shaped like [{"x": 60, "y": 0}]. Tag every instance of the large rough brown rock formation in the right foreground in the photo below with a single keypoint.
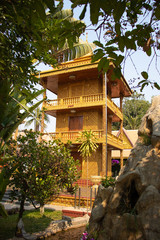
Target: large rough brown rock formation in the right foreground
[{"x": 131, "y": 211}]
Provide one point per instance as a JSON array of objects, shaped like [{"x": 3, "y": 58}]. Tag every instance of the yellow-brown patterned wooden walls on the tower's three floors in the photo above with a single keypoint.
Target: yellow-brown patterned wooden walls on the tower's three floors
[{"x": 92, "y": 118}]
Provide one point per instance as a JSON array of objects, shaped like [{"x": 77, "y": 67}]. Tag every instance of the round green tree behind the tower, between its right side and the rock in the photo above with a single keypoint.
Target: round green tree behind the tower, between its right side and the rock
[{"x": 134, "y": 109}]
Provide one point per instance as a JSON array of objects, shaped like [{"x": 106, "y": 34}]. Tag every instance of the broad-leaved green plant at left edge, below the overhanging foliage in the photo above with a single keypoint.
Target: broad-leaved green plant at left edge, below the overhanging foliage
[{"x": 10, "y": 120}]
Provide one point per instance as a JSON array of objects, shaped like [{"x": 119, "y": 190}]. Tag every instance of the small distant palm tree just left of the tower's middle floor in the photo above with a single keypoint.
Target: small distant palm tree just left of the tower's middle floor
[{"x": 36, "y": 119}]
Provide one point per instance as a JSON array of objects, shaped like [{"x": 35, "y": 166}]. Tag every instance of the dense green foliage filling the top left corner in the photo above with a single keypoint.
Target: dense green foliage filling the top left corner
[{"x": 29, "y": 31}]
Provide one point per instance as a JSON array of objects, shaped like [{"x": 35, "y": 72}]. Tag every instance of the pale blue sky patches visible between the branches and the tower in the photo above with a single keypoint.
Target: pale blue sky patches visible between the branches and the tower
[{"x": 140, "y": 59}]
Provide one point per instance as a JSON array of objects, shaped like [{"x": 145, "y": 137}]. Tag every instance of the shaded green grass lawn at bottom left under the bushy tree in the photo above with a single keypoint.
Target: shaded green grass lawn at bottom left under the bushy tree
[{"x": 32, "y": 219}]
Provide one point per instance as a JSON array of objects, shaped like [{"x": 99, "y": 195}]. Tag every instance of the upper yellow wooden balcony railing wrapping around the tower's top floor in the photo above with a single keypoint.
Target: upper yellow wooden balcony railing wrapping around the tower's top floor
[{"x": 81, "y": 102}]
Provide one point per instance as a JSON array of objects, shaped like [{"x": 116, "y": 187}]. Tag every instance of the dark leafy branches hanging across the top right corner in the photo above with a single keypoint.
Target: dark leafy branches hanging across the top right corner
[{"x": 128, "y": 26}]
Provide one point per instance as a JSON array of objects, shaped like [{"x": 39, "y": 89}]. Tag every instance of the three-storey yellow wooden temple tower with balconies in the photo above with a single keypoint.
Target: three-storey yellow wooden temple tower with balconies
[{"x": 84, "y": 102}]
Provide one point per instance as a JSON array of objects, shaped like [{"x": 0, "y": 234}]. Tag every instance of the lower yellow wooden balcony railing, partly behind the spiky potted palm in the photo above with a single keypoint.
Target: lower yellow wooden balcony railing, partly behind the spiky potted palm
[{"x": 73, "y": 135}]
